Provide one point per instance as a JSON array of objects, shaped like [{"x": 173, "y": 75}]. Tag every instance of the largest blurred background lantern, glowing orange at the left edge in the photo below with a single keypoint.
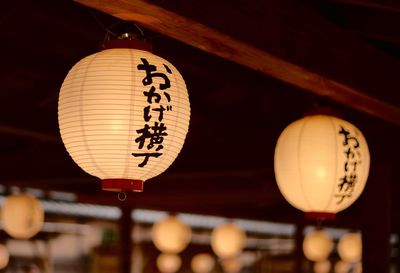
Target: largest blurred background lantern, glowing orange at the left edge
[{"x": 22, "y": 216}]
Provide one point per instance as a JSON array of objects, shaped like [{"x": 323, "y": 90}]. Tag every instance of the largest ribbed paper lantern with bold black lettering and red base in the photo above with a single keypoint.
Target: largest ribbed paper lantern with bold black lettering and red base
[{"x": 123, "y": 116}]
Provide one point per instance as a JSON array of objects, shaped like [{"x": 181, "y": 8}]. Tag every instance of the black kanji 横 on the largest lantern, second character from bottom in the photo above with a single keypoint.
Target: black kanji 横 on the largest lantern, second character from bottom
[{"x": 155, "y": 135}]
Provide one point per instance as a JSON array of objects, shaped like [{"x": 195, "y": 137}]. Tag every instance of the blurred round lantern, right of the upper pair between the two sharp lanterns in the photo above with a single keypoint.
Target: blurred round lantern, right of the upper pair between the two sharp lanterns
[{"x": 227, "y": 240}]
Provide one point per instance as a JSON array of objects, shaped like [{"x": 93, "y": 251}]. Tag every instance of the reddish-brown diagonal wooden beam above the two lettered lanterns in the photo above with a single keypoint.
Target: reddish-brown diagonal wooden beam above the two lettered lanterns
[{"x": 210, "y": 40}]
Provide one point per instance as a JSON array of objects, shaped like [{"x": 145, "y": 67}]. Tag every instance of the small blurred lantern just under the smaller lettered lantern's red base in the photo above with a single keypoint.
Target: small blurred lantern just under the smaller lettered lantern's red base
[{"x": 317, "y": 246}]
